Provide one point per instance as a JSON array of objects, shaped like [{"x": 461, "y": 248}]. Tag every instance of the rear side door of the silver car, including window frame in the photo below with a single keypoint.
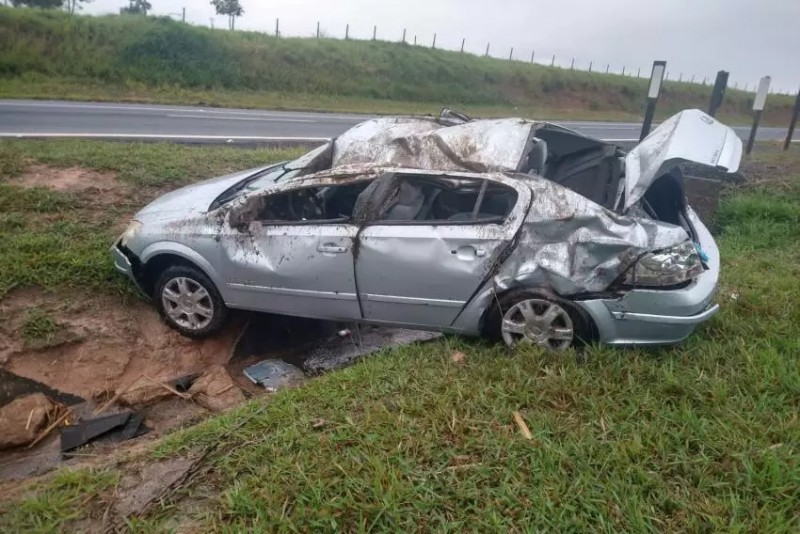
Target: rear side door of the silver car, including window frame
[{"x": 421, "y": 268}]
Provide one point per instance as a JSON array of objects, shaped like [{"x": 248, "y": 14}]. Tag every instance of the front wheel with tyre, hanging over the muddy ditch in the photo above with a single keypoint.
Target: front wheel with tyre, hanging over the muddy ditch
[{"x": 189, "y": 302}]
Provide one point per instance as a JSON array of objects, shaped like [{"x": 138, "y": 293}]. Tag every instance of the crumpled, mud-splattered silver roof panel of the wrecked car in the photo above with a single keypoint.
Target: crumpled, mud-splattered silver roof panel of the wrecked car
[{"x": 424, "y": 143}]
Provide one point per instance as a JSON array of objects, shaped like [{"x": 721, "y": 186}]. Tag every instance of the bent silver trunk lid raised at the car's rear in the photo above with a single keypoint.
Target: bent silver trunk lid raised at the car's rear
[{"x": 689, "y": 136}]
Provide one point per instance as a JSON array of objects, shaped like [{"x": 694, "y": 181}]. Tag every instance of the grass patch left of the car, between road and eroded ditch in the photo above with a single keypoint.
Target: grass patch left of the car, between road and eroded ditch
[{"x": 56, "y": 239}]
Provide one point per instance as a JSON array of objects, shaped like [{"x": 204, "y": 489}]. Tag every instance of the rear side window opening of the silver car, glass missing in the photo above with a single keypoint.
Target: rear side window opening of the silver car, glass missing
[{"x": 423, "y": 198}]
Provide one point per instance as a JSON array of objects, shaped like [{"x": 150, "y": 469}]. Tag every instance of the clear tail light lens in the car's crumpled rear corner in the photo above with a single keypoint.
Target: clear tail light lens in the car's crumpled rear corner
[{"x": 667, "y": 267}]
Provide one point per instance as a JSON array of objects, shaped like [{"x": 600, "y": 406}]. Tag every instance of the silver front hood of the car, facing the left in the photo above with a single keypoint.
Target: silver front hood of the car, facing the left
[{"x": 192, "y": 199}]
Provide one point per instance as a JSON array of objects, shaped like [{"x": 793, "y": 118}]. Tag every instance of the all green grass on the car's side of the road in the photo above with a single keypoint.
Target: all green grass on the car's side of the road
[{"x": 698, "y": 437}]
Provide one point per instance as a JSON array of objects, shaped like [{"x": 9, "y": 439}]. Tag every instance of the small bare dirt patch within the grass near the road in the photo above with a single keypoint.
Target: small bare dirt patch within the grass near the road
[{"x": 72, "y": 179}]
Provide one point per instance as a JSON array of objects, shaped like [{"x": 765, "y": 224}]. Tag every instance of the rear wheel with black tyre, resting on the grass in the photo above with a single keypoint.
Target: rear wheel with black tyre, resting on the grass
[{"x": 538, "y": 317}]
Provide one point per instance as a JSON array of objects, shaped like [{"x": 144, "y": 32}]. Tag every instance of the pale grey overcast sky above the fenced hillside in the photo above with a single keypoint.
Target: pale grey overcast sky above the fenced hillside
[{"x": 749, "y": 38}]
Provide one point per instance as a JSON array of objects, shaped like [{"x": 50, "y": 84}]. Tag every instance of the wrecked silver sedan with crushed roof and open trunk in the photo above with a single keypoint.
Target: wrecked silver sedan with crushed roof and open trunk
[{"x": 520, "y": 230}]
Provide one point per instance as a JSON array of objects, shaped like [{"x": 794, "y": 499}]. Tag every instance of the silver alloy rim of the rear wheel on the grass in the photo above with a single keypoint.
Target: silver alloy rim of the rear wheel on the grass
[{"x": 539, "y": 322}]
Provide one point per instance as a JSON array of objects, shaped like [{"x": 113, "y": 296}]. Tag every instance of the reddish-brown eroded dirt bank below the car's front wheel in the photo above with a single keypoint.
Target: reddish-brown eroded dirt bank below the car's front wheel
[{"x": 118, "y": 342}]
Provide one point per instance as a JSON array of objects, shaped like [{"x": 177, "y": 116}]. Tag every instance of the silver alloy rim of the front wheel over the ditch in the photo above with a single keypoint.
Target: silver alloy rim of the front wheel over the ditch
[{"x": 187, "y": 303}]
